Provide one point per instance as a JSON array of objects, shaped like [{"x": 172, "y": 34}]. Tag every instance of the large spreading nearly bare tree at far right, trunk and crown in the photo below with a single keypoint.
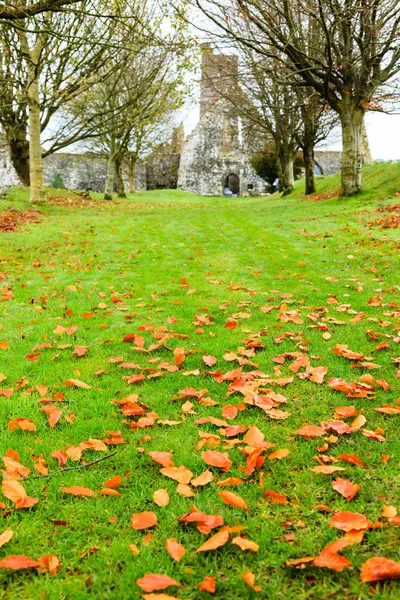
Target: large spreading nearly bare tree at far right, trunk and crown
[{"x": 355, "y": 54}]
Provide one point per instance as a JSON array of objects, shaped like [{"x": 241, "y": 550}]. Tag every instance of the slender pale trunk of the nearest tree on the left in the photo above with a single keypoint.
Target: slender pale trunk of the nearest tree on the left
[{"x": 37, "y": 191}]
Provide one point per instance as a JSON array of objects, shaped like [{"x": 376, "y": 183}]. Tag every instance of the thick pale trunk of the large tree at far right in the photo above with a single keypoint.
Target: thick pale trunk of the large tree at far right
[{"x": 351, "y": 178}]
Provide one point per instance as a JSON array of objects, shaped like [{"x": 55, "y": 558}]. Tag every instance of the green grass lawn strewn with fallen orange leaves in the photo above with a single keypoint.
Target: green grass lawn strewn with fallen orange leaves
[{"x": 165, "y": 263}]
